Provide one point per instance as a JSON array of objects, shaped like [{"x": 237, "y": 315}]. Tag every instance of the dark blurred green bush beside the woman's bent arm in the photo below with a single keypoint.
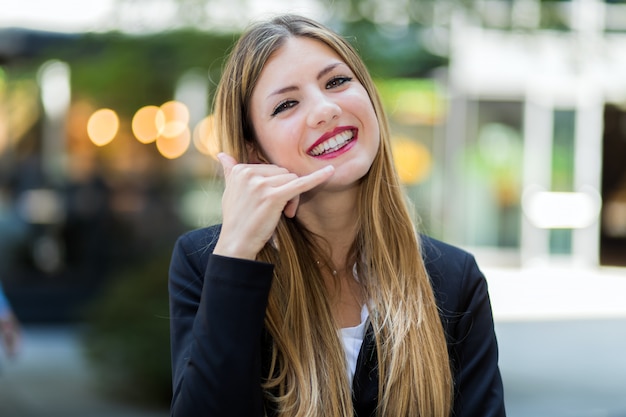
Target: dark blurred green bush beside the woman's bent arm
[{"x": 127, "y": 335}]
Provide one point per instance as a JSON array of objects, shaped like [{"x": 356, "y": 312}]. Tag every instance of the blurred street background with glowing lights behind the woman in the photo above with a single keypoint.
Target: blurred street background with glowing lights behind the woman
[{"x": 509, "y": 131}]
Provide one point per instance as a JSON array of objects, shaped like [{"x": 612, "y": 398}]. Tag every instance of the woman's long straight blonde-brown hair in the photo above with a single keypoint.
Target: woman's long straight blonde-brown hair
[{"x": 307, "y": 374}]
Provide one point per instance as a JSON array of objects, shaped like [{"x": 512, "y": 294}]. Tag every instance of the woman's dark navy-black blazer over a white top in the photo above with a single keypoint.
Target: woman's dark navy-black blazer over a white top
[{"x": 218, "y": 340}]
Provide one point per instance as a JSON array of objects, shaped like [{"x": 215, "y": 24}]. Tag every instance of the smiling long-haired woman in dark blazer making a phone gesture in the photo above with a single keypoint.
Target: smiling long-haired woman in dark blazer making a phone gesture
[{"x": 316, "y": 296}]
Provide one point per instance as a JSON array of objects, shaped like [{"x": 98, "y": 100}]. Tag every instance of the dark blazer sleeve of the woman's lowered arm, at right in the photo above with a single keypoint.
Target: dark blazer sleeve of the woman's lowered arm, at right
[{"x": 463, "y": 298}]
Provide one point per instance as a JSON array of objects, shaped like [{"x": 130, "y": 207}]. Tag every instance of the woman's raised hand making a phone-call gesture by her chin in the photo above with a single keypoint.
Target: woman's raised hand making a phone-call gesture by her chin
[{"x": 255, "y": 197}]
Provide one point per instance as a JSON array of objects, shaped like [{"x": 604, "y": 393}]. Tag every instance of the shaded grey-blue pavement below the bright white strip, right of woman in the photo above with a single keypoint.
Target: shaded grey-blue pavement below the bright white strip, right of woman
[{"x": 564, "y": 368}]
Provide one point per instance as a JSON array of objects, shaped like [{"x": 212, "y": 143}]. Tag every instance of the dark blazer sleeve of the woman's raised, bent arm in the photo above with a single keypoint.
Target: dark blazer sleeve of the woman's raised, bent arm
[{"x": 217, "y": 310}]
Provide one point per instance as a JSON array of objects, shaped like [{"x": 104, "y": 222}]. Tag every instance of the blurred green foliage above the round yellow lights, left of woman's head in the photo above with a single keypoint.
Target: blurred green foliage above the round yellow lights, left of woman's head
[{"x": 126, "y": 72}]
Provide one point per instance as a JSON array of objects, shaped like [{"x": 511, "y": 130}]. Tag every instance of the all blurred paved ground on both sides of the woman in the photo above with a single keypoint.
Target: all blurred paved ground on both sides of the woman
[{"x": 562, "y": 335}]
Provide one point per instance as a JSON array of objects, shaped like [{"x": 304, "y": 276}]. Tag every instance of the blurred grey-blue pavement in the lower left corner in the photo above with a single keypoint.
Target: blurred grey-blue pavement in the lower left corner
[{"x": 50, "y": 378}]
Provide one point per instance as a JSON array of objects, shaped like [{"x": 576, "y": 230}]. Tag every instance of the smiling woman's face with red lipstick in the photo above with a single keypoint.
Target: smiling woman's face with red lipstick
[{"x": 308, "y": 110}]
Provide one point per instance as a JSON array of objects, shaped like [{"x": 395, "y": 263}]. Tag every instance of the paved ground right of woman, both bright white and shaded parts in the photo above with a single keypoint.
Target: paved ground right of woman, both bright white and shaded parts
[{"x": 562, "y": 337}]
